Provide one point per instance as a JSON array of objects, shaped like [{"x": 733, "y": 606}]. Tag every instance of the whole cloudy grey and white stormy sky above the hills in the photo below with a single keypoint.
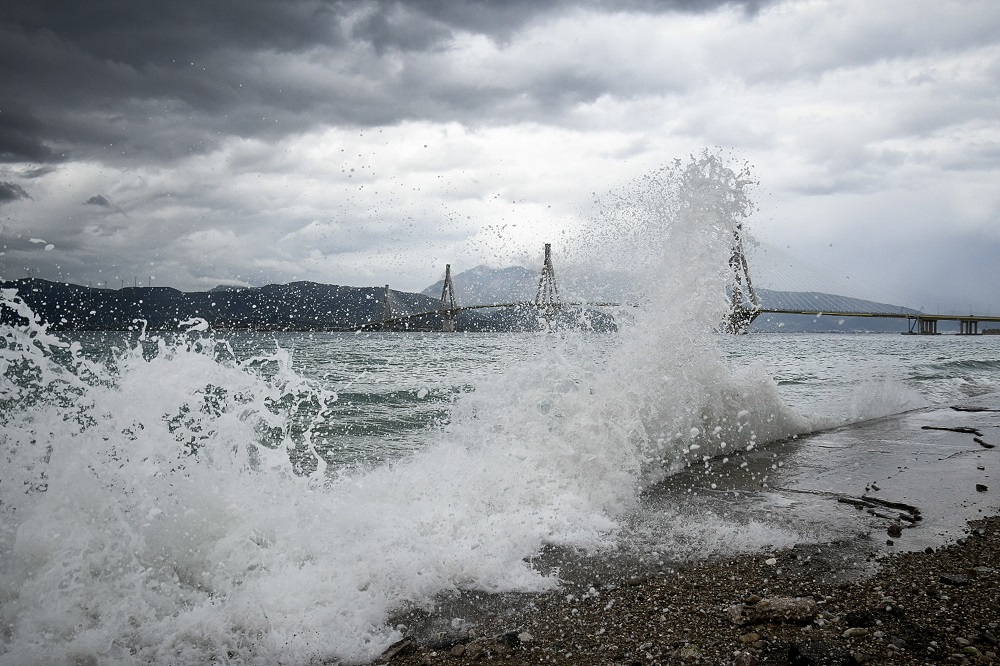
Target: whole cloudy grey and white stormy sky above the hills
[{"x": 193, "y": 143}]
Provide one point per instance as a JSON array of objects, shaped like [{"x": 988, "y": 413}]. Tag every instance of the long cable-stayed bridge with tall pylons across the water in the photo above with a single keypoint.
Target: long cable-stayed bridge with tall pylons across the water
[{"x": 747, "y": 300}]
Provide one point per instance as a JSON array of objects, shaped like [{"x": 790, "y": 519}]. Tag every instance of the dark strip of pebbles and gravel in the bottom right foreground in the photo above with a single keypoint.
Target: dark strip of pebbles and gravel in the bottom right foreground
[{"x": 934, "y": 606}]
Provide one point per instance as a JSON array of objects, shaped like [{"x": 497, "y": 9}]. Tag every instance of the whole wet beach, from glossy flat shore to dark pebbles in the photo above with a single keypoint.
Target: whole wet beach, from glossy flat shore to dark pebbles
[{"x": 904, "y": 567}]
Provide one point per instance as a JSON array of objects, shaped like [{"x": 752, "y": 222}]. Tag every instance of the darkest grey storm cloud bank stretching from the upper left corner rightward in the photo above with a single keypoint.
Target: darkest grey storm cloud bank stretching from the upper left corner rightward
[{"x": 110, "y": 79}]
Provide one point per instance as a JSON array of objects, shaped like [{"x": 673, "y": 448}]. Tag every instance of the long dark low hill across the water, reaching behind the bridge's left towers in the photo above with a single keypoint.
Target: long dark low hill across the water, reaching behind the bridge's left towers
[{"x": 299, "y": 306}]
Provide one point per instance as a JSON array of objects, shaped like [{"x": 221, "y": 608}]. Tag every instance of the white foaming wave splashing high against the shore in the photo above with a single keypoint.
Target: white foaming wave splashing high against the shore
[{"x": 158, "y": 510}]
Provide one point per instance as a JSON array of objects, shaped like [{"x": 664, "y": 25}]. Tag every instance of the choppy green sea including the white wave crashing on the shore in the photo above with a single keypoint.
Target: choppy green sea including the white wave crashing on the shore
[{"x": 259, "y": 498}]
